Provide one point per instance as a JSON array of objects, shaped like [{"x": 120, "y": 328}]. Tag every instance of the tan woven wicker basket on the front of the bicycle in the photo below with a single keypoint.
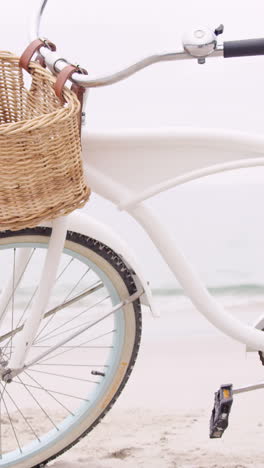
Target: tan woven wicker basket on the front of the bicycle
[{"x": 41, "y": 174}]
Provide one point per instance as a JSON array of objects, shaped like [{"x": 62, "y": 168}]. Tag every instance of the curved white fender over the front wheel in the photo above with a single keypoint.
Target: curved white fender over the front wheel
[{"x": 89, "y": 226}]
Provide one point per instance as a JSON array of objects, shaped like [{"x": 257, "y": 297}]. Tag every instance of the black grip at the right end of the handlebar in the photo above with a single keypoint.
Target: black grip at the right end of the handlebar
[{"x": 244, "y": 48}]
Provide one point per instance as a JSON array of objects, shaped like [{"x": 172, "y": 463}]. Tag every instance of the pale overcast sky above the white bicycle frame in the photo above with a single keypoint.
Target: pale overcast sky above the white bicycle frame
[{"x": 107, "y": 34}]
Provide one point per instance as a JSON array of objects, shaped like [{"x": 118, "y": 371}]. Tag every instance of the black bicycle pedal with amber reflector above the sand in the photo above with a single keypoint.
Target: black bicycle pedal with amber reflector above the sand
[{"x": 221, "y": 410}]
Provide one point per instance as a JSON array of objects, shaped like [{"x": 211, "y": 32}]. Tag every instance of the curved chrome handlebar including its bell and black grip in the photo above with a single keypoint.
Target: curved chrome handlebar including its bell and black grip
[{"x": 198, "y": 44}]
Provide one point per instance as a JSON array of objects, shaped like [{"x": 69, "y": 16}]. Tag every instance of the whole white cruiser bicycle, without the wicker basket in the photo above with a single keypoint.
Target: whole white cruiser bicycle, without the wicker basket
[{"x": 99, "y": 282}]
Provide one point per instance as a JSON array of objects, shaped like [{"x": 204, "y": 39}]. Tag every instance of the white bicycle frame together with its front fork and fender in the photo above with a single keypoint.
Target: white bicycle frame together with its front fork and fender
[{"x": 127, "y": 169}]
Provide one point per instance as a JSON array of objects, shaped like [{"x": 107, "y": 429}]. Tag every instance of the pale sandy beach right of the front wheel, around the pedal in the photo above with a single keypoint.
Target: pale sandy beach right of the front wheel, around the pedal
[{"x": 162, "y": 418}]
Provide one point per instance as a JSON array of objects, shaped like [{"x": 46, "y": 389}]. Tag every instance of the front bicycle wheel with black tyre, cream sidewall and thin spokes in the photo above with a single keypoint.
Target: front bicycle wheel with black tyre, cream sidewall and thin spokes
[{"x": 60, "y": 397}]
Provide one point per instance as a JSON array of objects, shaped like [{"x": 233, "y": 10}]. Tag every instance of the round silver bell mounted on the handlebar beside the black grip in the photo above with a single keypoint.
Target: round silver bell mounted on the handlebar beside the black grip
[{"x": 201, "y": 42}]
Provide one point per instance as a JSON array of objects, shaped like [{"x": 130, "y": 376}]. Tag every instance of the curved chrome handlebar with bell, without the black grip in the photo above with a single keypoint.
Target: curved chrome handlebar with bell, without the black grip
[{"x": 199, "y": 44}]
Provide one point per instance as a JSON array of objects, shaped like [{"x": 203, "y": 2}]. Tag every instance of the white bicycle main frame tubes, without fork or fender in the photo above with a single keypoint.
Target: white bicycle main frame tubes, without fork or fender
[{"x": 130, "y": 168}]
